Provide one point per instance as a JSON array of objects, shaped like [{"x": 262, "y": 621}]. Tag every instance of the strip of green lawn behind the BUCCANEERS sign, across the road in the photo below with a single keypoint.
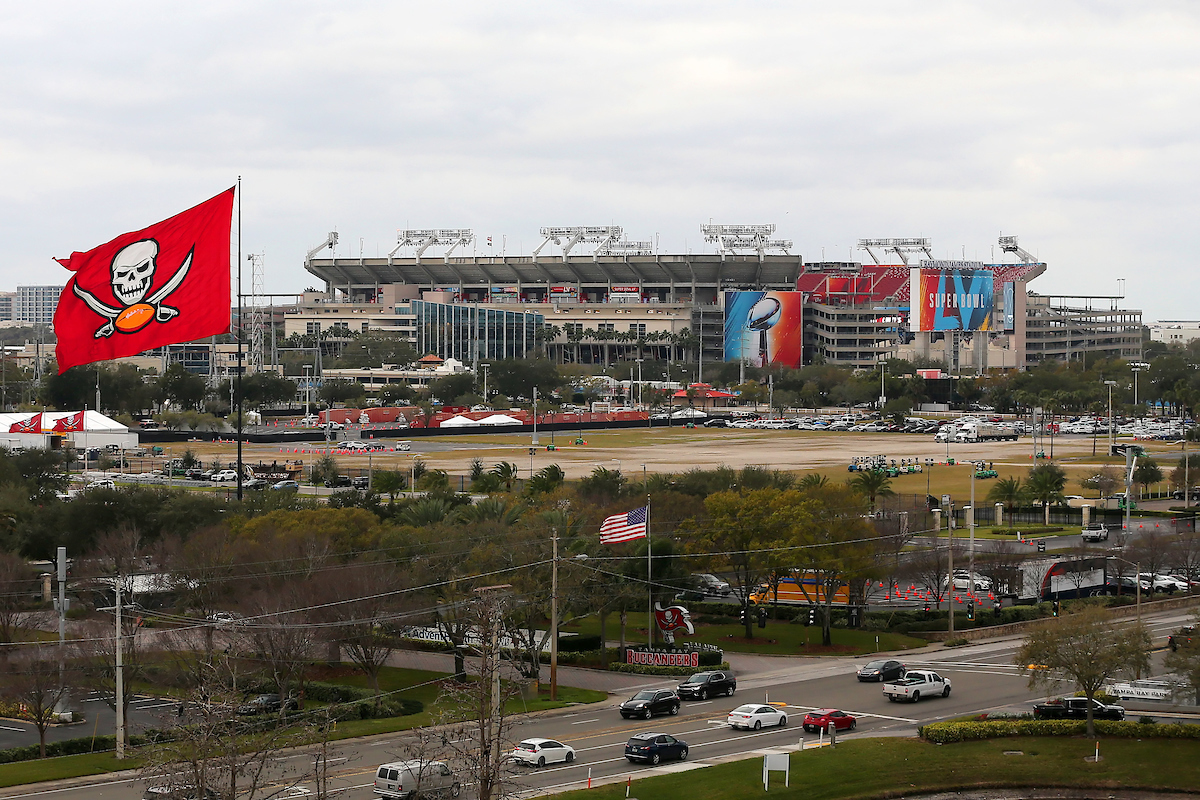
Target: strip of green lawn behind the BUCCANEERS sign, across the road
[{"x": 779, "y": 637}]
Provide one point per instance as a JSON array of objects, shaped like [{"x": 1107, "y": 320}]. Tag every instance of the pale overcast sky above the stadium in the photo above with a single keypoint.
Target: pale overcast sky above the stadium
[{"x": 1071, "y": 124}]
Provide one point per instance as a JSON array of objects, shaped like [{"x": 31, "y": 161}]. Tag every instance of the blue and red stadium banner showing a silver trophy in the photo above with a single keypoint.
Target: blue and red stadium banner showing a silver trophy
[{"x": 764, "y": 328}]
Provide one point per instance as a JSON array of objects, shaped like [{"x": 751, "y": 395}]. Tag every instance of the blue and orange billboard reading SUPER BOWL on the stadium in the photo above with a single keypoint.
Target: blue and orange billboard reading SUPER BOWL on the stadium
[{"x": 951, "y": 299}]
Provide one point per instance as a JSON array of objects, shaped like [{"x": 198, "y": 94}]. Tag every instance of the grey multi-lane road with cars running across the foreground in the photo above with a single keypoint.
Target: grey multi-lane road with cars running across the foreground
[{"x": 985, "y": 679}]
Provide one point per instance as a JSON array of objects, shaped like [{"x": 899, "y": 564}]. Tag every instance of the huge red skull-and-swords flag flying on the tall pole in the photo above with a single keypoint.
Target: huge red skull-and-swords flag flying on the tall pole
[{"x": 164, "y": 285}]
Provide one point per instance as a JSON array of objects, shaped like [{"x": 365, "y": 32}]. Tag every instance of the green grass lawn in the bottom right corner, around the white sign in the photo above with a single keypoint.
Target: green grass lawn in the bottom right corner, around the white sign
[{"x": 873, "y": 768}]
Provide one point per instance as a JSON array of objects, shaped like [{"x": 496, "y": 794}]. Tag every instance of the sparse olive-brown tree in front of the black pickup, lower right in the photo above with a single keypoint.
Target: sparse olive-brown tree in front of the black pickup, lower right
[{"x": 1085, "y": 648}]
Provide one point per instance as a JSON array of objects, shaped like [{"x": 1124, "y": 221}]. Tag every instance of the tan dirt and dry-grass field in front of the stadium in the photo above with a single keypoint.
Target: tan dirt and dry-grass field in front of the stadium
[{"x": 663, "y": 450}]
